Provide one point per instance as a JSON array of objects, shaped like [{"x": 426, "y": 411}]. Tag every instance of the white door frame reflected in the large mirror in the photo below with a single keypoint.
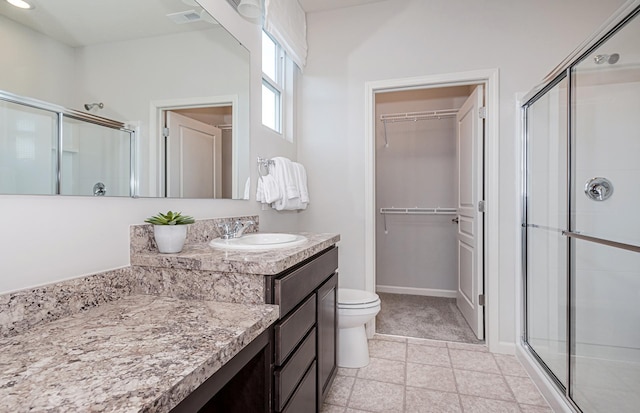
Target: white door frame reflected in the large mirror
[{"x": 156, "y": 119}]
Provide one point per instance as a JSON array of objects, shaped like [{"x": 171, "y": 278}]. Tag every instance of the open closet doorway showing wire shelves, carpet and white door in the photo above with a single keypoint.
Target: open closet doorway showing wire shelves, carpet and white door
[{"x": 428, "y": 210}]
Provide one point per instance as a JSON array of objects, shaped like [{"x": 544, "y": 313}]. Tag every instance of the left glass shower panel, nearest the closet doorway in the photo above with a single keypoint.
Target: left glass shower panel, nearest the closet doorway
[{"x": 546, "y": 291}]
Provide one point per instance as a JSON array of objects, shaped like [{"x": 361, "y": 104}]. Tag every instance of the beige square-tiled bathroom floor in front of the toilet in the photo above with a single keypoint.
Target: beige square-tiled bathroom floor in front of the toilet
[{"x": 419, "y": 376}]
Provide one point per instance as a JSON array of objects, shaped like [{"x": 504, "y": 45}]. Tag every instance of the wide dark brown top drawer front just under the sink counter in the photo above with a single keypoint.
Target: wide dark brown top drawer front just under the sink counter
[{"x": 294, "y": 287}]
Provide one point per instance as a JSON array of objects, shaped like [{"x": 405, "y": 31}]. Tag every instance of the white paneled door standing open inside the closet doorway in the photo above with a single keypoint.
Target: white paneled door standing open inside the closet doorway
[{"x": 470, "y": 136}]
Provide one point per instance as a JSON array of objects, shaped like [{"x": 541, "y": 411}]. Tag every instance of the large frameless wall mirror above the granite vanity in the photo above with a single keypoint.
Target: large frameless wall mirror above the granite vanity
[{"x": 144, "y": 98}]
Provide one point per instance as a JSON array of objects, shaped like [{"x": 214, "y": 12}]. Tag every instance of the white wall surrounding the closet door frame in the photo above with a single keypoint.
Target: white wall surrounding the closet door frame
[{"x": 397, "y": 39}]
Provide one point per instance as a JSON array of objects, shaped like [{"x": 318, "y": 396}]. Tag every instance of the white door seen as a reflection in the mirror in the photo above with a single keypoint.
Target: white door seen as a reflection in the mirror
[{"x": 194, "y": 158}]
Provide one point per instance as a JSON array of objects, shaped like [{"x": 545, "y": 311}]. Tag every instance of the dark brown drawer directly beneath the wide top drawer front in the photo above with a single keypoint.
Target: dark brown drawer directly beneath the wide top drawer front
[{"x": 293, "y": 328}]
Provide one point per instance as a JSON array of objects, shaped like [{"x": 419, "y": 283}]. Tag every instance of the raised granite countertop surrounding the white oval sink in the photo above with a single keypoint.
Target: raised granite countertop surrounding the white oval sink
[{"x": 207, "y": 258}]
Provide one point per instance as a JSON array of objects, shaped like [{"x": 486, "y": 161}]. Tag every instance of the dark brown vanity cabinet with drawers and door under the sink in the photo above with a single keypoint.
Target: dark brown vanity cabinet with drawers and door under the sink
[{"x": 304, "y": 342}]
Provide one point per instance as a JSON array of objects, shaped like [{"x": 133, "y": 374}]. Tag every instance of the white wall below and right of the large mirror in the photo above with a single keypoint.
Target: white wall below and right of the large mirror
[{"x": 51, "y": 238}]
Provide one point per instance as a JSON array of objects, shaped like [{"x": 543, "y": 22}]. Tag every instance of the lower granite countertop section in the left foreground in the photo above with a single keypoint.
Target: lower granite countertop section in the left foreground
[{"x": 139, "y": 353}]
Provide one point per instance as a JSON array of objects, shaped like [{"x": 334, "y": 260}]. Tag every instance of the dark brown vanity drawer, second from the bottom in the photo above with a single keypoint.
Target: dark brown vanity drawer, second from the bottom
[{"x": 289, "y": 376}]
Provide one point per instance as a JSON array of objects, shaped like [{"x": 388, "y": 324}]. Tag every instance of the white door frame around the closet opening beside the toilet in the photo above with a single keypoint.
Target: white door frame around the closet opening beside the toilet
[{"x": 490, "y": 79}]
